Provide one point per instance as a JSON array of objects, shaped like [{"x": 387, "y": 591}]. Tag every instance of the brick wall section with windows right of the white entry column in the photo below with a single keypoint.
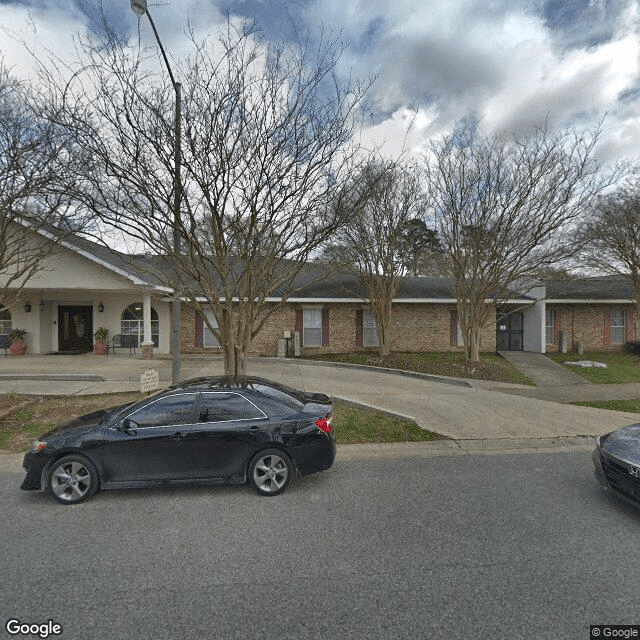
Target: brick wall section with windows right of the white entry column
[{"x": 586, "y": 324}]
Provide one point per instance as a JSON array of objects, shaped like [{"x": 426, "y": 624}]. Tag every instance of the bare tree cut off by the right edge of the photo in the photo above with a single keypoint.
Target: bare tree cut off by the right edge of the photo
[{"x": 610, "y": 239}]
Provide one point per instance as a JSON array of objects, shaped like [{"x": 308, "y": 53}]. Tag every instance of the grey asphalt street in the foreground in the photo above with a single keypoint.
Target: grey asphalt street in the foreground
[{"x": 517, "y": 546}]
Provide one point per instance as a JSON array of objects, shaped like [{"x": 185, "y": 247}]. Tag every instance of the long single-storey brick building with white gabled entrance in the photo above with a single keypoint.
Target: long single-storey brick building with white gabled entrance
[{"x": 85, "y": 286}]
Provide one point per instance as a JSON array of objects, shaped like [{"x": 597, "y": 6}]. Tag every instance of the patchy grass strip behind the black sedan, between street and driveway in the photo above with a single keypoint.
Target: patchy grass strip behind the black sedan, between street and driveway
[{"x": 24, "y": 418}]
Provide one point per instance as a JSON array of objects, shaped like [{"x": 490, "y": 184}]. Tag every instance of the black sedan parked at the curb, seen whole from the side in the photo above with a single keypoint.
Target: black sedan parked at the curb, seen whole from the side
[{"x": 201, "y": 431}]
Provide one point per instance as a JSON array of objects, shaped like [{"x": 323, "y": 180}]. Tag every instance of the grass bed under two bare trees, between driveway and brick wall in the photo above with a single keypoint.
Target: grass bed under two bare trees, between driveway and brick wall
[{"x": 450, "y": 363}]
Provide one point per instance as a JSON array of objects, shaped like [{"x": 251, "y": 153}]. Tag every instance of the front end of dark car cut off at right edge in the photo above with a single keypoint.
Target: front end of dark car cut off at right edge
[{"x": 617, "y": 463}]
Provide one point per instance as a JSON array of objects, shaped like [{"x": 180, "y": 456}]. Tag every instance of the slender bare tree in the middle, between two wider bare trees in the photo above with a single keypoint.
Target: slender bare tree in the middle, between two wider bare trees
[{"x": 381, "y": 202}]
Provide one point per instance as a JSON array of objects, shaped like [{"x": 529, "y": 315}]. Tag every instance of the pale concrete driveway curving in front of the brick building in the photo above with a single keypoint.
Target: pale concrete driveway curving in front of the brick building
[{"x": 459, "y": 409}]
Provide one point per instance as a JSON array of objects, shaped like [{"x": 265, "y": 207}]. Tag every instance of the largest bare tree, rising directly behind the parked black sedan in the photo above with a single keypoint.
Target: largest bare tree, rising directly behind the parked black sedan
[{"x": 267, "y": 140}]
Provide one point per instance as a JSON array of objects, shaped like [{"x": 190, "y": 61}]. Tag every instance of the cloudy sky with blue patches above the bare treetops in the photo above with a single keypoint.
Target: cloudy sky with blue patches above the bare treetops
[{"x": 509, "y": 62}]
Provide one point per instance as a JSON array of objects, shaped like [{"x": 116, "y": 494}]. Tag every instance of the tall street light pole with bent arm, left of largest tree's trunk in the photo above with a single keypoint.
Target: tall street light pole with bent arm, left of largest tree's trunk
[{"x": 140, "y": 8}]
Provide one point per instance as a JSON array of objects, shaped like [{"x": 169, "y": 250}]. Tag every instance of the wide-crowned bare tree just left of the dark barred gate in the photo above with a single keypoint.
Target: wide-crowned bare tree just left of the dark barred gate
[{"x": 507, "y": 208}]
